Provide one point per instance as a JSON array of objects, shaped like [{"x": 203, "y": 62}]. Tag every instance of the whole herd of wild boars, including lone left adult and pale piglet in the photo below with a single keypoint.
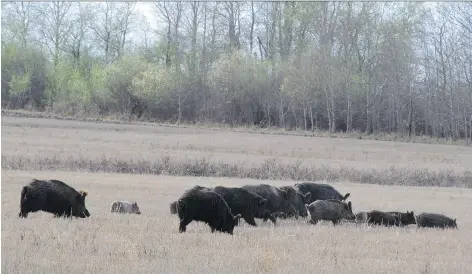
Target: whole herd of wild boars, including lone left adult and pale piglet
[{"x": 222, "y": 207}]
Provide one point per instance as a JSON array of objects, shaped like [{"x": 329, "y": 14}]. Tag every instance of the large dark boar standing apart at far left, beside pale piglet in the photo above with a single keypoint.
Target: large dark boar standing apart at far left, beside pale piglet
[{"x": 52, "y": 196}]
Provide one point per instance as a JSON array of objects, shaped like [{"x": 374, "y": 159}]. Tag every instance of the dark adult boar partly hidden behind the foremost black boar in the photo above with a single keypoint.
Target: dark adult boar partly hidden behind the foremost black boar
[{"x": 240, "y": 201}]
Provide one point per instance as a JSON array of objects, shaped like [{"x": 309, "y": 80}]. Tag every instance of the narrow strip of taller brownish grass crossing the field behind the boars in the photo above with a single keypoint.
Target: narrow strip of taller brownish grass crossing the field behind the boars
[{"x": 270, "y": 169}]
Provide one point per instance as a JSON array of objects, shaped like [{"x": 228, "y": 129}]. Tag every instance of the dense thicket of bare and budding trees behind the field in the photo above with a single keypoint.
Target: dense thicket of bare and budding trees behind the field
[{"x": 404, "y": 68}]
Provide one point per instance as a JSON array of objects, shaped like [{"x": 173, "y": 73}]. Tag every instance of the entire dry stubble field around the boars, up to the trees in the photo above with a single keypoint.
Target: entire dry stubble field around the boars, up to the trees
[{"x": 150, "y": 242}]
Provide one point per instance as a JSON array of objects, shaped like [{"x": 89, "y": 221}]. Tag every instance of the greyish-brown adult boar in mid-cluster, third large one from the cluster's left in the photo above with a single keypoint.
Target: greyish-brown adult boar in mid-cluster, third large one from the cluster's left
[{"x": 277, "y": 199}]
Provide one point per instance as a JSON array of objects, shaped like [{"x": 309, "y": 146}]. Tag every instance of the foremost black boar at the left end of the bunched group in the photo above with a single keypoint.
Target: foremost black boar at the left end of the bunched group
[{"x": 206, "y": 206}]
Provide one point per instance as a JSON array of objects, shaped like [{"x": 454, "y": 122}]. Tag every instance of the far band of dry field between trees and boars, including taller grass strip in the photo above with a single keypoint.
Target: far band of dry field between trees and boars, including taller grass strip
[{"x": 40, "y": 144}]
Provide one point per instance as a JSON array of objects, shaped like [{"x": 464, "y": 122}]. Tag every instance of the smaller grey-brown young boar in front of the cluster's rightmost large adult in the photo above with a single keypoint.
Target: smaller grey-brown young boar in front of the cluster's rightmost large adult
[{"x": 330, "y": 210}]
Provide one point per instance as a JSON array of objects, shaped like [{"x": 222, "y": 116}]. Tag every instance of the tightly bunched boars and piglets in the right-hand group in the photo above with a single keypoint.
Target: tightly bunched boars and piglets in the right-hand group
[{"x": 222, "y": 207}]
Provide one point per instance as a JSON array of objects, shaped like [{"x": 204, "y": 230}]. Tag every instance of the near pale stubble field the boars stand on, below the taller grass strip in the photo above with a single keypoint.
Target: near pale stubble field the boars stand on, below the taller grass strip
[{"x": 150, "y": 243}]
